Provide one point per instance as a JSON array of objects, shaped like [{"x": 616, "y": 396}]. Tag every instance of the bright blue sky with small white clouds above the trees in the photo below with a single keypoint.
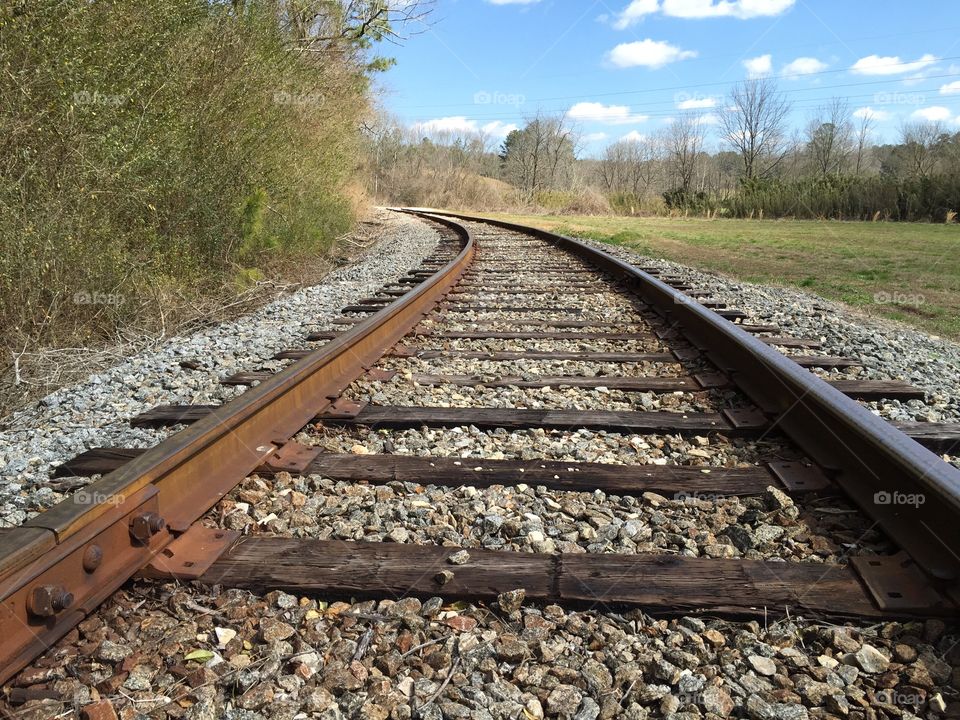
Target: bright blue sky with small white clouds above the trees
[{"x": 622, "y": 68}]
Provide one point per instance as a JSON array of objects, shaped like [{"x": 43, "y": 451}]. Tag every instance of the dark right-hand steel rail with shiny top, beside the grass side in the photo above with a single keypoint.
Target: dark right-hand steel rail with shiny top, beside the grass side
[{"x": 911, "y": 493}]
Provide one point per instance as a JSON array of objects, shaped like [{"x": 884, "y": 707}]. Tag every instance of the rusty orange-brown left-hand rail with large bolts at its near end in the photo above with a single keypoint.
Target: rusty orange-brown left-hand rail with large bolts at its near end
[{"x": 60, "y": 565}]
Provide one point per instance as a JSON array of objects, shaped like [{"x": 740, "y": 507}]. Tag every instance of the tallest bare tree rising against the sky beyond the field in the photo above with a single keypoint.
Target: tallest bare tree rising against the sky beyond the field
[{"x": 754, "y": 123}]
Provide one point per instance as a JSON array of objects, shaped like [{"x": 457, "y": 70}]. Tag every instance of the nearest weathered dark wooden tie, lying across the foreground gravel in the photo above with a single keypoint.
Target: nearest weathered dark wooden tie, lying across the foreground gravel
[{"x": 660, "y": 584}]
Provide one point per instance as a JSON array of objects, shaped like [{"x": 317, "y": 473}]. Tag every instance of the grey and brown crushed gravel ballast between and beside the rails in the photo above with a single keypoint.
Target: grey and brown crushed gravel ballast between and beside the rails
[{"x": 168, "y": 650}]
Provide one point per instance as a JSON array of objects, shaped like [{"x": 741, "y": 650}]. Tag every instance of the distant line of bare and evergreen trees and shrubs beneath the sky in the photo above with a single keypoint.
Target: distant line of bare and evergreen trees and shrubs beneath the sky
[{"x": 762, "y": 166}]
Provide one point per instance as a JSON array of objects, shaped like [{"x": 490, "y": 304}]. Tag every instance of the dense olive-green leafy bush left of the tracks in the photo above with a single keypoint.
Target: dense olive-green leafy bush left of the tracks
[{"x": 162, "y": 144}]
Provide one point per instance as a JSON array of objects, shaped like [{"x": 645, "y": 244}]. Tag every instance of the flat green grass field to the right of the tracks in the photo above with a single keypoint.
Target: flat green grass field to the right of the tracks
[{"x": 908, "y": 272}]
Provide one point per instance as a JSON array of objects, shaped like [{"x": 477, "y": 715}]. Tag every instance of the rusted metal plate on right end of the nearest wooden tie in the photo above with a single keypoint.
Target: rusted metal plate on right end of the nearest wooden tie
[{"x": 898, "y": 585}]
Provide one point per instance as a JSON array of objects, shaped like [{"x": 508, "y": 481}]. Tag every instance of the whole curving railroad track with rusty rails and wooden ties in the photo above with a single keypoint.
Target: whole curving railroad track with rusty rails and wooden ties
[{"x": 523, "y": 339}]
